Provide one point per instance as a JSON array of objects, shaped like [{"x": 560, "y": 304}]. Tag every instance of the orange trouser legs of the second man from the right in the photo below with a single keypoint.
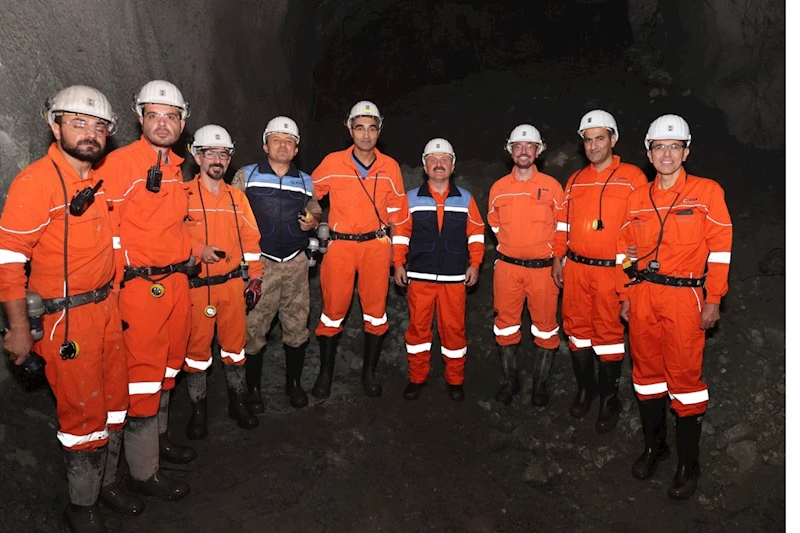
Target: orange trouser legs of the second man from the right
[{"x": 590, "y": 310}]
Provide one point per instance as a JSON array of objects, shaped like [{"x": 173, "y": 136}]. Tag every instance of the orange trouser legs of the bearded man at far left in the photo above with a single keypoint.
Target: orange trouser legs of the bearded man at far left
[{"x": 91, "y": 390}]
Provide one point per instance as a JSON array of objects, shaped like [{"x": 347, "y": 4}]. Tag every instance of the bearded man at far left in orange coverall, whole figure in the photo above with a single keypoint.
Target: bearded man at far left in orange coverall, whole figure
[{"x": 72, "y": 269}]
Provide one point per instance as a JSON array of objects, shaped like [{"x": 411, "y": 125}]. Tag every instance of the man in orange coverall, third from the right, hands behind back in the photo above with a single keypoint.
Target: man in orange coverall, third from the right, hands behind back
[{"x": 523, "y": 209}]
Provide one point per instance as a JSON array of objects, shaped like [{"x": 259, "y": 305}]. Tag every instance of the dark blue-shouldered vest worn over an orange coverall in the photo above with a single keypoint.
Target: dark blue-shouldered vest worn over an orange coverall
[{"x": 436, "y": 256}]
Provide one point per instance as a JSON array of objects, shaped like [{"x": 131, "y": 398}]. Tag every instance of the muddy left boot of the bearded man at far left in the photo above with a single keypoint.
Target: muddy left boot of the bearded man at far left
[{"x": 84, "y": 475}]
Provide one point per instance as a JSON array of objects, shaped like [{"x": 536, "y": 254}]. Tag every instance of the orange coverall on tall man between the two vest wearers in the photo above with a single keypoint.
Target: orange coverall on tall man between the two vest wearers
[{"x": 352, "y": 211}]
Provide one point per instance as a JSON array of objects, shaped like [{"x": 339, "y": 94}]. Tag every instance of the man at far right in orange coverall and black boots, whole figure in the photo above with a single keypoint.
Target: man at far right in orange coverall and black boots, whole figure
[{"x": 680, "y": 226}]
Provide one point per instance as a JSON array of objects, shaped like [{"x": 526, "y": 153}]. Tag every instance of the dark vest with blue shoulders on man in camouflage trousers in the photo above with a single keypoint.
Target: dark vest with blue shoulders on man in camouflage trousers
[{"x": 276, "y": 202}]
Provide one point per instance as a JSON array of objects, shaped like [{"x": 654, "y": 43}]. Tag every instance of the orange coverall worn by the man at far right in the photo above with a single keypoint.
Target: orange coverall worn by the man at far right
[{"x": 664, "y": 323}]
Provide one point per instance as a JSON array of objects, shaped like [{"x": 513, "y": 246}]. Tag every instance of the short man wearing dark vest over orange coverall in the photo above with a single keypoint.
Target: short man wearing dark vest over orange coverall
[{"x": 438, "y": 248}]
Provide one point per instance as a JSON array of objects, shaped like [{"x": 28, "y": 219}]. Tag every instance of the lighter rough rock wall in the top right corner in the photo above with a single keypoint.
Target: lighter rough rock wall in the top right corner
[{"x": 731, "y": 53}]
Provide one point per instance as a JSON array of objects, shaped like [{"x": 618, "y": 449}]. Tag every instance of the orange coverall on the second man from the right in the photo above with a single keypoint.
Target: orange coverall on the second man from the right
[{"x": 590, "y": 306}]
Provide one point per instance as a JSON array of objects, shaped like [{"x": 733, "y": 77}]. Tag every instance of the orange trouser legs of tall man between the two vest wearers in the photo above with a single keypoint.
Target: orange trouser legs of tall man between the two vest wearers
[{"x": 343, "y": 260}]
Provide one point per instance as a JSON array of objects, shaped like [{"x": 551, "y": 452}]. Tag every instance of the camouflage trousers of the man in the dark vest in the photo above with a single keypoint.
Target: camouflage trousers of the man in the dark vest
[{"x": 284, "y": 291}]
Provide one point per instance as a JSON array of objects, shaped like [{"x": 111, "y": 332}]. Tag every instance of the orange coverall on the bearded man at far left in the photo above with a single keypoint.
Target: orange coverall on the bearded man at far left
[{"x": 91, "y": 390}]
